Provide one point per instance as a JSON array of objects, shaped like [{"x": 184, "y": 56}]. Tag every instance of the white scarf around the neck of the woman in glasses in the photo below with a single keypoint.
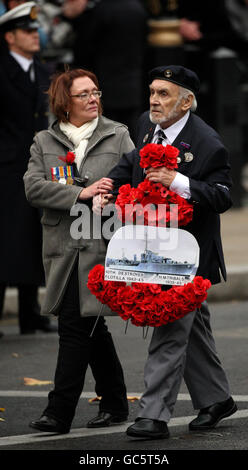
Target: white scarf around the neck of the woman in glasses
[{"x": 79, "y": 136}]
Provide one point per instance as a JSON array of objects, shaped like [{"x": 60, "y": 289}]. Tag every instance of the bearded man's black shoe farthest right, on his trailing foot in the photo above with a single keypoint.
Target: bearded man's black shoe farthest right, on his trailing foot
[{"x": 209, "y": 417}]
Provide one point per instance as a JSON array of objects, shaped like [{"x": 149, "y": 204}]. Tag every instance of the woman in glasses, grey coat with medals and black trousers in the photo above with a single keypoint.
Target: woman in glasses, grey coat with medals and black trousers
[{"x": 98, "y": 144}]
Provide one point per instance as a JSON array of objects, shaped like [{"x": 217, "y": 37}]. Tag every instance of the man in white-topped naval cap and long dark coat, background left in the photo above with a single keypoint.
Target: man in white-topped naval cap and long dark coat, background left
[{"x": 23, "y": 81}]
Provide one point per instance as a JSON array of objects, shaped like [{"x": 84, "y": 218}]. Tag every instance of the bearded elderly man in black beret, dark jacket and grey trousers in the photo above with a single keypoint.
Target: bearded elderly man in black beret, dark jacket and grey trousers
[{"x": 185, "y": 348}]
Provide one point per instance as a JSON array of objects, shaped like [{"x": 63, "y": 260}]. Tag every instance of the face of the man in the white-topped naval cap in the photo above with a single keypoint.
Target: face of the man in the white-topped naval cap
[{"x": 25, "y": 42}]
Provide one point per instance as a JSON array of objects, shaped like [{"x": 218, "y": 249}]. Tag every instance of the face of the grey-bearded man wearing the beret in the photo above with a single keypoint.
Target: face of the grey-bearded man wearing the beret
[{"x": 165, "y": 103}]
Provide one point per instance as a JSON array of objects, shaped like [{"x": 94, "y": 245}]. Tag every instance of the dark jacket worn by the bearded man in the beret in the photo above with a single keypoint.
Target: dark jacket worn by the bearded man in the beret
[{"x": 209, "y": 177}]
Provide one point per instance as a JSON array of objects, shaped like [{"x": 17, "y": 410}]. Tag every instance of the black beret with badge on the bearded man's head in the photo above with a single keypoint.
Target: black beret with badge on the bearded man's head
[{"x": 176, "y": 74}]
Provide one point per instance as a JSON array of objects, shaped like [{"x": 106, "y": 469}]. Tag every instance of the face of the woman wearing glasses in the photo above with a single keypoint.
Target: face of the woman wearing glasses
[{"x": 86, "y": 109}]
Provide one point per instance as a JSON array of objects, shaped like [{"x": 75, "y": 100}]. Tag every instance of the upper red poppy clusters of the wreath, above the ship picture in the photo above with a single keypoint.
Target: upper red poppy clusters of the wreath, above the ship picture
[{"x": 142, "y": 204}]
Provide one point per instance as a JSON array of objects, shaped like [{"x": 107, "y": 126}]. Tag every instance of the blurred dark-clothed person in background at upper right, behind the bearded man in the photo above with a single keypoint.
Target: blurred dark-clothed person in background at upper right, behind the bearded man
[{"x": 216, "y": 43}]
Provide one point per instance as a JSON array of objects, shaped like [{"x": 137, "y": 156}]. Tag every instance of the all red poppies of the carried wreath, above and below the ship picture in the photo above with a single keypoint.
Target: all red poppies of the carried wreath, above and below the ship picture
[{"x": 142, "y": 303}]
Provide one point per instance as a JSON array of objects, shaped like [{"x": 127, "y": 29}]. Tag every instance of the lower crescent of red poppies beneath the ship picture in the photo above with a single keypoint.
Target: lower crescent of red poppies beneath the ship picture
[{"x": 147, "y": 304}]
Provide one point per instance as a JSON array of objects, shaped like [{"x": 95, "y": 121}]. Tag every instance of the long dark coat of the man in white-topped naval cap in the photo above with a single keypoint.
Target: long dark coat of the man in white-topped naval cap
[{"x": 23, "y": 113}]
